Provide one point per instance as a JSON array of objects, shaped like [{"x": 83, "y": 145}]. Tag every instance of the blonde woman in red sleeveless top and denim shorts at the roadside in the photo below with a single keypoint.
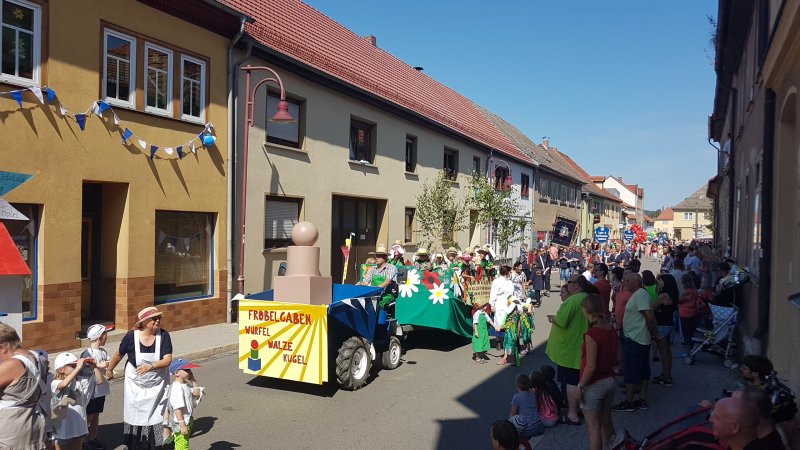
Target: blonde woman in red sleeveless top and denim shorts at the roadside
[{"x": 596, "y": 386}]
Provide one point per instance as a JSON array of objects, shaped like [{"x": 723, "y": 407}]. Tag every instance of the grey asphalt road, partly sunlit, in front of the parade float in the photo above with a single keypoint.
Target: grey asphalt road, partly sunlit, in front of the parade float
[{"x": 437, "y": 398}]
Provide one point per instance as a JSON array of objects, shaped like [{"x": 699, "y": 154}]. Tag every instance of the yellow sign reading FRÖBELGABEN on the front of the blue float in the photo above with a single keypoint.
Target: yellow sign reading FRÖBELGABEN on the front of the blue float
[{"x": 284, "y": 340}]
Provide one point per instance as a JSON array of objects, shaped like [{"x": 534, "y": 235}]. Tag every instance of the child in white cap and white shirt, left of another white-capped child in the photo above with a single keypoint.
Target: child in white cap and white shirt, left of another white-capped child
[{"x": 71, "y": 390}]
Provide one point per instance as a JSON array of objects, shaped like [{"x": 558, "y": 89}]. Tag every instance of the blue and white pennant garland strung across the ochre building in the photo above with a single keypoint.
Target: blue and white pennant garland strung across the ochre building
[{"x": 100, "y": 108}]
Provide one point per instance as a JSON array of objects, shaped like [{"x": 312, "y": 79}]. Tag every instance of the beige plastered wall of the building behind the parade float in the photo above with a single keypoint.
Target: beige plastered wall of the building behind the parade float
[{"x": 321, "y": 168}]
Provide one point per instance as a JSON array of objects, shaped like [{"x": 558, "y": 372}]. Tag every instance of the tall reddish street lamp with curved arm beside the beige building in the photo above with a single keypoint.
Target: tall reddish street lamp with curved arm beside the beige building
[{"x": 282, "y": 116}]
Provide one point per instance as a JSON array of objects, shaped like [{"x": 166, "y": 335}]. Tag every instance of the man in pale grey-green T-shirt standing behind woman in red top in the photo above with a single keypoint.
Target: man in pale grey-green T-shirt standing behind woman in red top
[{"x": 639, "y": 327}]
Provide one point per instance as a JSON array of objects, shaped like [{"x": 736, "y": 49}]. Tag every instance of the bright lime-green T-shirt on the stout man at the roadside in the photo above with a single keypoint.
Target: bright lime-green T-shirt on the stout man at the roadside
[{"x": 566, "y": 333}]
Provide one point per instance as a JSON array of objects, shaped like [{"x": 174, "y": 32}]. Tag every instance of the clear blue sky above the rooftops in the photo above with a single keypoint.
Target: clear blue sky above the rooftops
[{"x": 623, "y": 87}]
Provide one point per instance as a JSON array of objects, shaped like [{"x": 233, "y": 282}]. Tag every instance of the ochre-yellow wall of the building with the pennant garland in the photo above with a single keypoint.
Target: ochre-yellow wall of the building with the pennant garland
[{"x": 36, "y": 140}]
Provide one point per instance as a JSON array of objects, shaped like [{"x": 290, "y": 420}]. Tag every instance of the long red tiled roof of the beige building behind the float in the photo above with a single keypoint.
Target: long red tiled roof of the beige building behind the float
[{"x": 299, "y": 31}]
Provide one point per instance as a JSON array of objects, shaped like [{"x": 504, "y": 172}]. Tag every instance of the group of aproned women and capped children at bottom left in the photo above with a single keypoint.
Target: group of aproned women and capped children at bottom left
[{"x": 40, "y": 409}]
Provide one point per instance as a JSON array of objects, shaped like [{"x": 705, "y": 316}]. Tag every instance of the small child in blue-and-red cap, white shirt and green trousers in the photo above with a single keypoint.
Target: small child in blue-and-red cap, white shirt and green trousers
[{"x": 184, "y": 394}]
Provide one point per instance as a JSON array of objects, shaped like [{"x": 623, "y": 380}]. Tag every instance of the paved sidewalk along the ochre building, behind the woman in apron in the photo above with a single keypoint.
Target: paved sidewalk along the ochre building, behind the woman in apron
[{"x": 190, "y": 344}]
